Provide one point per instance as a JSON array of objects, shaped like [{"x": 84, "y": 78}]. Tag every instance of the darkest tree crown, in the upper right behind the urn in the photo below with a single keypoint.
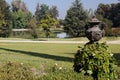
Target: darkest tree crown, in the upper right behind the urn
[{"x": 110, "y": 12}]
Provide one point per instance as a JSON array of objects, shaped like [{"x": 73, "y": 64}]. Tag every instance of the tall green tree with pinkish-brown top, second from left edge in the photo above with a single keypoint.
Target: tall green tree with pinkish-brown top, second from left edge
[{"x": 20, "y": 14}]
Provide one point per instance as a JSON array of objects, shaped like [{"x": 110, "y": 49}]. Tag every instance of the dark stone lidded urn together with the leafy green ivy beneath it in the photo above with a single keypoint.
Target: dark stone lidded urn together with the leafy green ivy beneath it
[{"x": 94, "y": 58}]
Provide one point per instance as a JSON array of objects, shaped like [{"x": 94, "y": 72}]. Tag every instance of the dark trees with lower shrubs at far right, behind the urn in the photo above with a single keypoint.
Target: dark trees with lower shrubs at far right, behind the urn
[{"x": 110, "y": 14}]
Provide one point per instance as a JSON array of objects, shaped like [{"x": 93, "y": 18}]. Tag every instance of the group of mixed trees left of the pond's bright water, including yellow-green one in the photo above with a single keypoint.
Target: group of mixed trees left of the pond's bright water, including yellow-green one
[{"x": 17, "y": 16}]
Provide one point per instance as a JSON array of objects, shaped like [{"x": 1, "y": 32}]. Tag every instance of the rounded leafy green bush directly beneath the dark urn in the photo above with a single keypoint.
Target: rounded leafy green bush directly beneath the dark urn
[{"x": 95, "y": 60}]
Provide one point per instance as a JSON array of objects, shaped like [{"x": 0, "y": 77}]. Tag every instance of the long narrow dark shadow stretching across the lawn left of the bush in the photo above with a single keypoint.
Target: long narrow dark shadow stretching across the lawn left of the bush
[{"x": 42, "y": 55}]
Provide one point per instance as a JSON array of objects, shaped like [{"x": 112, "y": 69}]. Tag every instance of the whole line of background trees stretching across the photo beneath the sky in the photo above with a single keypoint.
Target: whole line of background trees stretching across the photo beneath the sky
[{"x": 45, "y": 19}]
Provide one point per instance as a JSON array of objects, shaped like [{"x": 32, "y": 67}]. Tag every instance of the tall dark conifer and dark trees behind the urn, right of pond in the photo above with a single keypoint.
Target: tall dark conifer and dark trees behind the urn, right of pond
[{"x": 77, "y": 18}]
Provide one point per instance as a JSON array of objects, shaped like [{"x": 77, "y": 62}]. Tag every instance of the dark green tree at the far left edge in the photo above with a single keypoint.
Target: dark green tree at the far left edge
[{"x": 5, "y": 19}]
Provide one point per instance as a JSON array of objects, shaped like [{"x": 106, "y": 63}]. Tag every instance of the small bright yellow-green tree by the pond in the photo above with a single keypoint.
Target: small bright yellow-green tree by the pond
[{"x": 47, "y": 23}]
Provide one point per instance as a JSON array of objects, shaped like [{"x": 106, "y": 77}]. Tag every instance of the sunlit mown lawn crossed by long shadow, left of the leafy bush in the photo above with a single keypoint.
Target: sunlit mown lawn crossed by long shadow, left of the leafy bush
[{"x": 37, "y": 53}]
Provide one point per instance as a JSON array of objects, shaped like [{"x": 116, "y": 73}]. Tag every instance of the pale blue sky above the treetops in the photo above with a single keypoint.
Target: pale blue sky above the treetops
[{"x": 64, "y": 5}]
